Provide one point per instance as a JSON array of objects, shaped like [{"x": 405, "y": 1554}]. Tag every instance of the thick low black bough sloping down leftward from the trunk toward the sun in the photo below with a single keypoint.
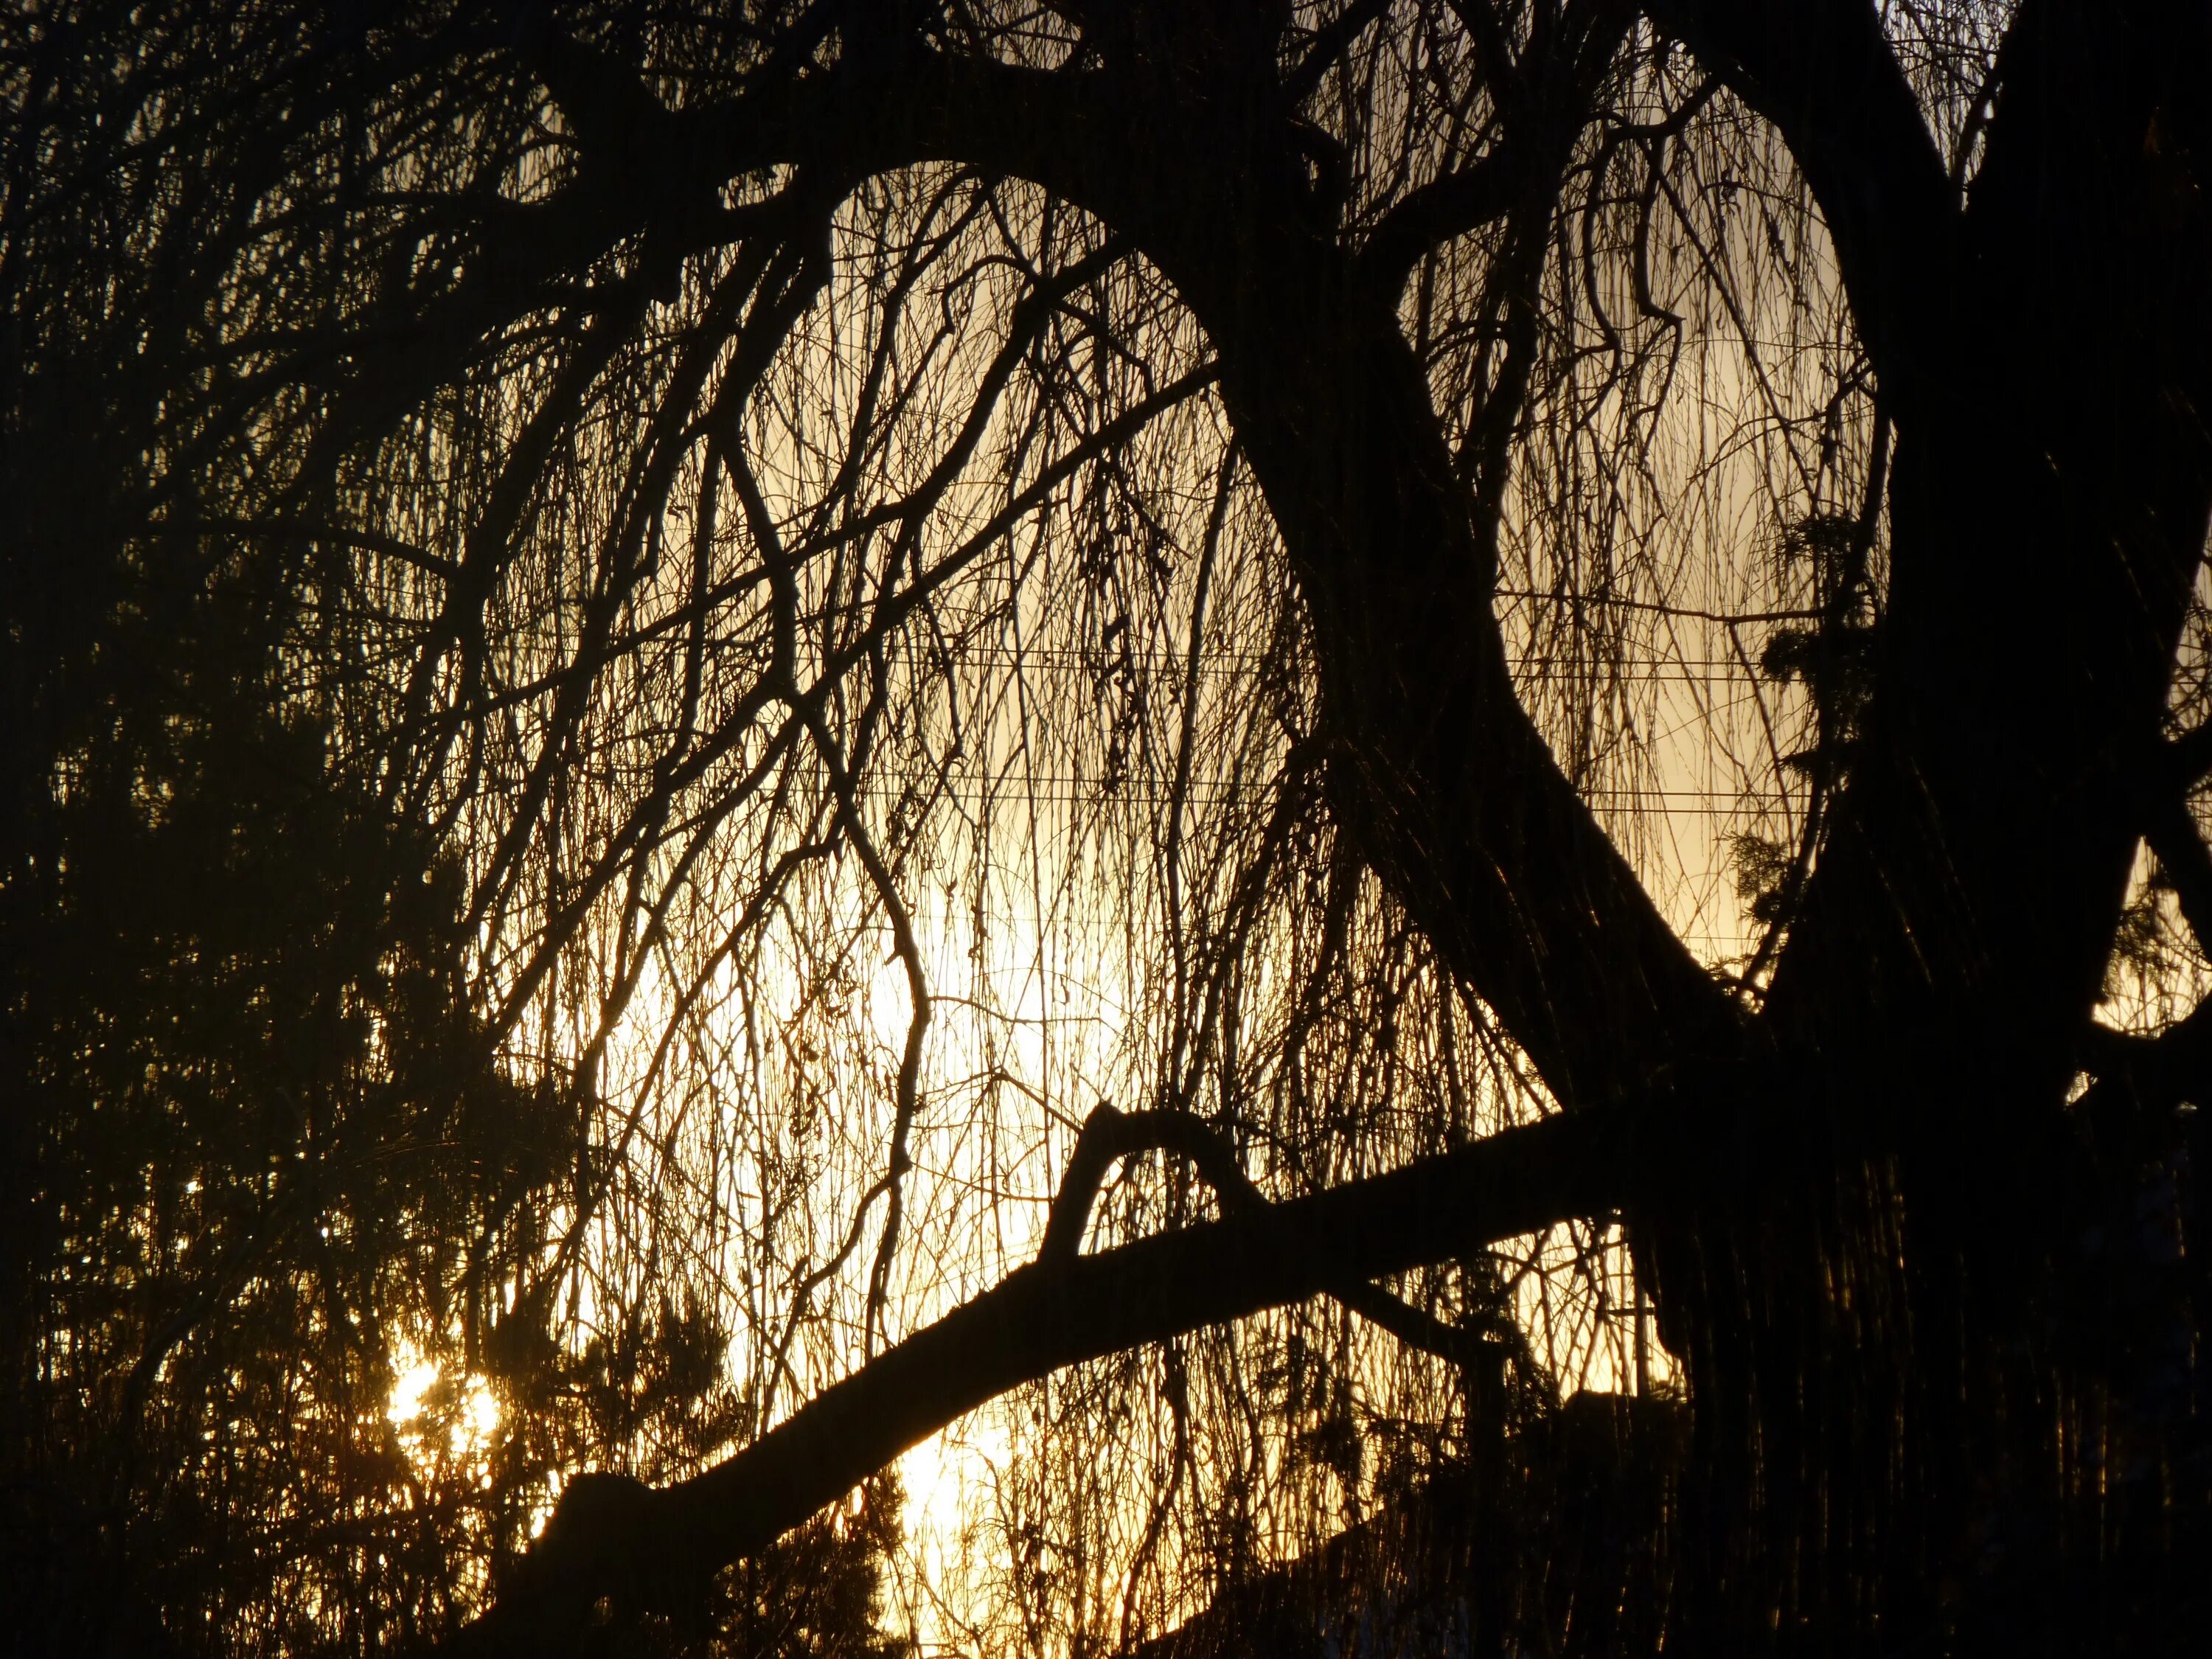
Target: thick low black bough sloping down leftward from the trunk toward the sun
[{"x": 638, "y": 1550}]
